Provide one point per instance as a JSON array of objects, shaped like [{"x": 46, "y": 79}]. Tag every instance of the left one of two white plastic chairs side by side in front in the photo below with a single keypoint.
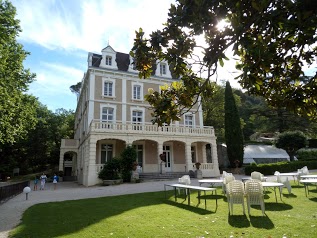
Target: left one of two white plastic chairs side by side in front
[{"x": 235, "y": 194}]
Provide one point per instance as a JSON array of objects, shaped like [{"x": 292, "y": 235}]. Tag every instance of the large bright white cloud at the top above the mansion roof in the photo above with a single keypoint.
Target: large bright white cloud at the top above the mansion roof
[{"x": 88, "y": 25}]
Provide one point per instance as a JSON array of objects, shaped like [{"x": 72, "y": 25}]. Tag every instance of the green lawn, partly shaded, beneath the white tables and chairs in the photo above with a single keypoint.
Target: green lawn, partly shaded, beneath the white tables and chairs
[{"x": 153, "y": 215}]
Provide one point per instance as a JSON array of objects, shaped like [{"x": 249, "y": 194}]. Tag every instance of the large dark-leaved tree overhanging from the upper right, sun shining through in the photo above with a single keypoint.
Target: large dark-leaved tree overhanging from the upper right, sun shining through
[{"x": 273, "y": 40}]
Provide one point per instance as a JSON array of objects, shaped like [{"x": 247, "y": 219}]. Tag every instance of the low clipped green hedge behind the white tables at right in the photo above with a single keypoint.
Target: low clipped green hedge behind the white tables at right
[{"x": 283, "y": 167}]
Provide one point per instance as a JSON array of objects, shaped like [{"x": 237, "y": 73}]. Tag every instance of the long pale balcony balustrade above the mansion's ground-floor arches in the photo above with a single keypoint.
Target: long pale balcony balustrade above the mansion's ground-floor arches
[{"x": 150, "y": 129}]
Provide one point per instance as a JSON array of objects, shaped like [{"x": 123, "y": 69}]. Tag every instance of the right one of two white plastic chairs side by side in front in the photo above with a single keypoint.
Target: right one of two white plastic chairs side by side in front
[{"x": 254, "y": 194}]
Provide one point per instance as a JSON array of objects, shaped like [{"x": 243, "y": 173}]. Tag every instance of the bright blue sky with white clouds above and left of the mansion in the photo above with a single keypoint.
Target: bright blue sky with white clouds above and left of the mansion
[{"x": 60, "y": 33}]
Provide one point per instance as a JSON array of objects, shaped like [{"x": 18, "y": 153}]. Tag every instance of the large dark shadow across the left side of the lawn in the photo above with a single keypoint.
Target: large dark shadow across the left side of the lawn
[{"x": 57, "y": 219}]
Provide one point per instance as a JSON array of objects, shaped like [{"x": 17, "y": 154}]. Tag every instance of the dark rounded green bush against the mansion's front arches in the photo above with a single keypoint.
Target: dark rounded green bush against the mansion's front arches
[{"x": 110, "y": 173}]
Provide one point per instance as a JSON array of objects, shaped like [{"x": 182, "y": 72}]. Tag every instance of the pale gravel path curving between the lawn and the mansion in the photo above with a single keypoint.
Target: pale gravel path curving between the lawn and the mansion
[{"x": 12, "y": 210}]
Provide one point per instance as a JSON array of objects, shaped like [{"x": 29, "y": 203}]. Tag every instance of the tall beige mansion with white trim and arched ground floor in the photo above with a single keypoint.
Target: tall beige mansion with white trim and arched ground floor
[{"x": 111, "y": 113}]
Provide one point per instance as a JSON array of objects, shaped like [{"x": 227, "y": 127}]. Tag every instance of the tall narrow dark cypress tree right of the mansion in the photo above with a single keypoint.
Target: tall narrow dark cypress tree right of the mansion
[{"x": 233, "y": 132}]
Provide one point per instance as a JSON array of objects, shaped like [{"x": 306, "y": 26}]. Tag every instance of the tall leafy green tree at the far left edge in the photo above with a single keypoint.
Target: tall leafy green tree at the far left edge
[{"x": 17, "y": 114}]
